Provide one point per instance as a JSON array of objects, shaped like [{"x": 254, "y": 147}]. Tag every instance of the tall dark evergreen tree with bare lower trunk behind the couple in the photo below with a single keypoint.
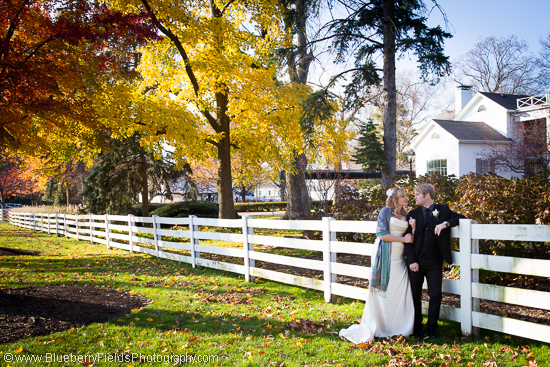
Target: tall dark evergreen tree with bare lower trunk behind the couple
[{"x": 389, "y": 28}]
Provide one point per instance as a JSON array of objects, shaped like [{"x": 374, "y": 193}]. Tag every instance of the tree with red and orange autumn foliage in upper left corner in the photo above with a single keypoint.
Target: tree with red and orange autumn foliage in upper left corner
[{"x": 52, "y": 53}]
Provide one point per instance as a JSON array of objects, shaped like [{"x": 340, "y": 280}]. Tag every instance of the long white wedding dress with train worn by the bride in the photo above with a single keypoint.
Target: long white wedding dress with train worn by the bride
[{"x": 394, "y": 314}]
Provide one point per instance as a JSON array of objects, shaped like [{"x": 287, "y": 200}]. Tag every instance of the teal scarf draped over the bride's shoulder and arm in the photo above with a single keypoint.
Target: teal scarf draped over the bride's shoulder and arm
[{"x": 381, "y": 263}]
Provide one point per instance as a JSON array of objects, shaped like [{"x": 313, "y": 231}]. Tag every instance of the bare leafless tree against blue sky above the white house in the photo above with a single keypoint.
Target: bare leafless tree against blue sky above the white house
[{"x": 500, "y": 65}]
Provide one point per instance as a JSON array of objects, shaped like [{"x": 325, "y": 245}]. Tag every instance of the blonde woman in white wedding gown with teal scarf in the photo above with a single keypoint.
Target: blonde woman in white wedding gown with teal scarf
[{"x": 389, "y": 308}]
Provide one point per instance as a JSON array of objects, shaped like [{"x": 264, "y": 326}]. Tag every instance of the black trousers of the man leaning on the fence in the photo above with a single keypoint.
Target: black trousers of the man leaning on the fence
[{"x": 433, "y": 272}]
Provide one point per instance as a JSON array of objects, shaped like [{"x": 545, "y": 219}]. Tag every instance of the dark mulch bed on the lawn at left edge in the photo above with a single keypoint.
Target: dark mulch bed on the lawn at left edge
[{"x": 32, "y": 311}]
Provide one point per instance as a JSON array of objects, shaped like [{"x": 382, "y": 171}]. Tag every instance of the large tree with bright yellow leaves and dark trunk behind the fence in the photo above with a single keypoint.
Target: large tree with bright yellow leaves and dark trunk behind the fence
[{"x": 215, "y": 67}]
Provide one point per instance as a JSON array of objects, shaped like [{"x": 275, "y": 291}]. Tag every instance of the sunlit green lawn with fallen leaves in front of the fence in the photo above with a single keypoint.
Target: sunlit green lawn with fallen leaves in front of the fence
[{"x": 213, "y": 313}]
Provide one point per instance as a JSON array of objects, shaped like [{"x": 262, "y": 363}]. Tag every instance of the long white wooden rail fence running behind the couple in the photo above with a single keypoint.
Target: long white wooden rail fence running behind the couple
[{"x": 106, "y": 229}]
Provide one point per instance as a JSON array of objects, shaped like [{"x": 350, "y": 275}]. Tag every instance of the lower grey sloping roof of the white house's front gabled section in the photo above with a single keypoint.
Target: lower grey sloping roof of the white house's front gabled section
[{"x": 471, "y": 131}]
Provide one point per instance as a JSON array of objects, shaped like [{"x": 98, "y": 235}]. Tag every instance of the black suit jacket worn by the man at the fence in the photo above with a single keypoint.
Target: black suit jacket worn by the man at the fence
[{"x": 412, "y": 250}]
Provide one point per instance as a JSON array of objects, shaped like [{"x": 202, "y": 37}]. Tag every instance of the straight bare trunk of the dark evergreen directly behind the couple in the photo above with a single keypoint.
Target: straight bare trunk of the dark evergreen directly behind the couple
[{"x": 389, "y": 94}]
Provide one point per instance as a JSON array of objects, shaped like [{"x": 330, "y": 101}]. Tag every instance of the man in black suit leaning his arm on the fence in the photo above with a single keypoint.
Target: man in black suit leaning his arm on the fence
[{"x": 430, "y": 226}]
